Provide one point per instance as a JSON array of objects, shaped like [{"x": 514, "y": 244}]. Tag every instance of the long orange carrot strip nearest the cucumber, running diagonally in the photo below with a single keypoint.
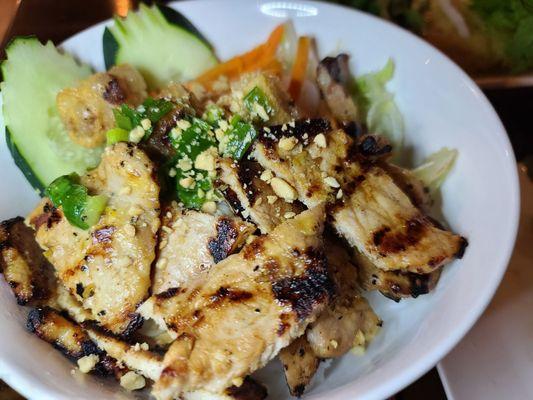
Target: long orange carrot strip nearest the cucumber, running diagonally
[{"x": 262, "y": 57}]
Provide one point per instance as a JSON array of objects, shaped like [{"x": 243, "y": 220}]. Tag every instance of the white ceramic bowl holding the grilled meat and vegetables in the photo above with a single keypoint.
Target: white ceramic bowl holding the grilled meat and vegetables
[{"x": 442, "y": 107}]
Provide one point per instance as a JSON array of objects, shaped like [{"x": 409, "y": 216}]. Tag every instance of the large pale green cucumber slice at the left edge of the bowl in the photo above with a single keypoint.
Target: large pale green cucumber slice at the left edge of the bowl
[{"x": 33, "y": 75}]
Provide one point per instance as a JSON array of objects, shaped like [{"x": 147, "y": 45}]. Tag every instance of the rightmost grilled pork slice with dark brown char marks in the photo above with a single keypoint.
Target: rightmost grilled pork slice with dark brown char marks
[{"x": 382, "y": 223}]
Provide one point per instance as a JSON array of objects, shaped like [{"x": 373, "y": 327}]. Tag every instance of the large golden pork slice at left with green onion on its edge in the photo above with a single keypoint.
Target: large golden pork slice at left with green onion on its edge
[{"x": 107, "y": 267}]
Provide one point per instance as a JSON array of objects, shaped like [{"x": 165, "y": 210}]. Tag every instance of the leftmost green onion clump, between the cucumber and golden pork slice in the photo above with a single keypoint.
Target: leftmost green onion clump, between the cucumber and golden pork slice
[{"x": 80, "y": 209}]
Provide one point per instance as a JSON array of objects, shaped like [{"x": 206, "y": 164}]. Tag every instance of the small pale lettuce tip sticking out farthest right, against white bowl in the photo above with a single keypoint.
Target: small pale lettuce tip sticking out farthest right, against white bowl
[{"x": 433, "y": 171}]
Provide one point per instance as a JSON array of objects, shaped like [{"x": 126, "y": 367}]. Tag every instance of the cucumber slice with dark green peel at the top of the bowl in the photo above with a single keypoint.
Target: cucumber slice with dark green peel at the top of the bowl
[{"x": 161, "y": 43}]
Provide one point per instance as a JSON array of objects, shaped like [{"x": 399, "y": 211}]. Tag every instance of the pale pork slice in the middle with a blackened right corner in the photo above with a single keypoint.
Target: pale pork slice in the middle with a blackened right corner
[{"x": 191, "y": 243}]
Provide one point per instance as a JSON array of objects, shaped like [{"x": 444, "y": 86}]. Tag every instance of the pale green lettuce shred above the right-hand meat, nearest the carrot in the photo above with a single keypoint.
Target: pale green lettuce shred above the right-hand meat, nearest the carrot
[{"x": 377, "y": 105}]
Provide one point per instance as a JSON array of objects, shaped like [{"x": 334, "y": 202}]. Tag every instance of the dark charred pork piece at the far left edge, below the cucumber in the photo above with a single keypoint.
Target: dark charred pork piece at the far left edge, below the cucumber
[{"x": 22, "y": 262}]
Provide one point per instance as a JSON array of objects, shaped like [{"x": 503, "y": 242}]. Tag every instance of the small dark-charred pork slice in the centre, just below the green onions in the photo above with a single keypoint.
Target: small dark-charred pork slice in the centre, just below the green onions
[{"x": 249, "y": 193}]
